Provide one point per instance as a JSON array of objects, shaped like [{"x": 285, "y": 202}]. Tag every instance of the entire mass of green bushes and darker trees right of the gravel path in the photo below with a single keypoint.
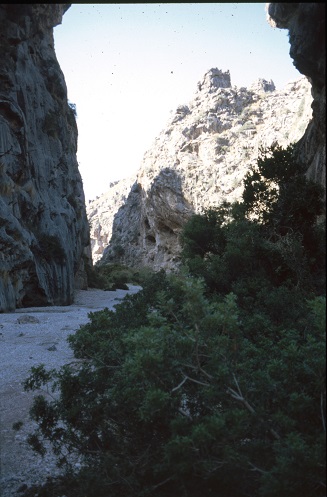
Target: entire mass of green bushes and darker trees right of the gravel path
[{"x": 210, "y": 382}]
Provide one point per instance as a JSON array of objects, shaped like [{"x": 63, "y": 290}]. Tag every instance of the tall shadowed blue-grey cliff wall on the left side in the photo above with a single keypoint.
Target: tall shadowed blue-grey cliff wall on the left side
[{"x": 44, "y": 236}]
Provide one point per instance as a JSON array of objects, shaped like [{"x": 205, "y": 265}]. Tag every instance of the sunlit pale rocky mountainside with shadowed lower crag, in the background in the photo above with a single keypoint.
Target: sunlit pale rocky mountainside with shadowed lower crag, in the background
[{"x": 197, "y": 161}]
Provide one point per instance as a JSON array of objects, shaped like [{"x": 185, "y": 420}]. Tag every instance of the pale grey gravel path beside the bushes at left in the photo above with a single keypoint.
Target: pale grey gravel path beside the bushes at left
[{"x": 29, "y": 337}]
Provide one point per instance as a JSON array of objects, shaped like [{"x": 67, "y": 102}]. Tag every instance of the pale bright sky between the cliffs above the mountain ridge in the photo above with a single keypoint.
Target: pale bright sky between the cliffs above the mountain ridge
[{"x": 128, "y": 66}]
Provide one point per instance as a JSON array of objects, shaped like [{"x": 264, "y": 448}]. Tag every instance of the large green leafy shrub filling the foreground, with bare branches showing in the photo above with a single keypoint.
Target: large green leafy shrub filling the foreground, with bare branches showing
[{"x": 174, "y": 398}]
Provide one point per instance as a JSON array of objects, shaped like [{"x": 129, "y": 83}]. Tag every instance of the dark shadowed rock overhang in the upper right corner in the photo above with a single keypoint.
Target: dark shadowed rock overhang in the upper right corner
[{"x": 306, "y": 26}]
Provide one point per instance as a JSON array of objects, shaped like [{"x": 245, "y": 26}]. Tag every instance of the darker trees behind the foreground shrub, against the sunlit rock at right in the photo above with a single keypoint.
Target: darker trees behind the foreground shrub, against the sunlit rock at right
[{"x": 269, "y": 239}]
